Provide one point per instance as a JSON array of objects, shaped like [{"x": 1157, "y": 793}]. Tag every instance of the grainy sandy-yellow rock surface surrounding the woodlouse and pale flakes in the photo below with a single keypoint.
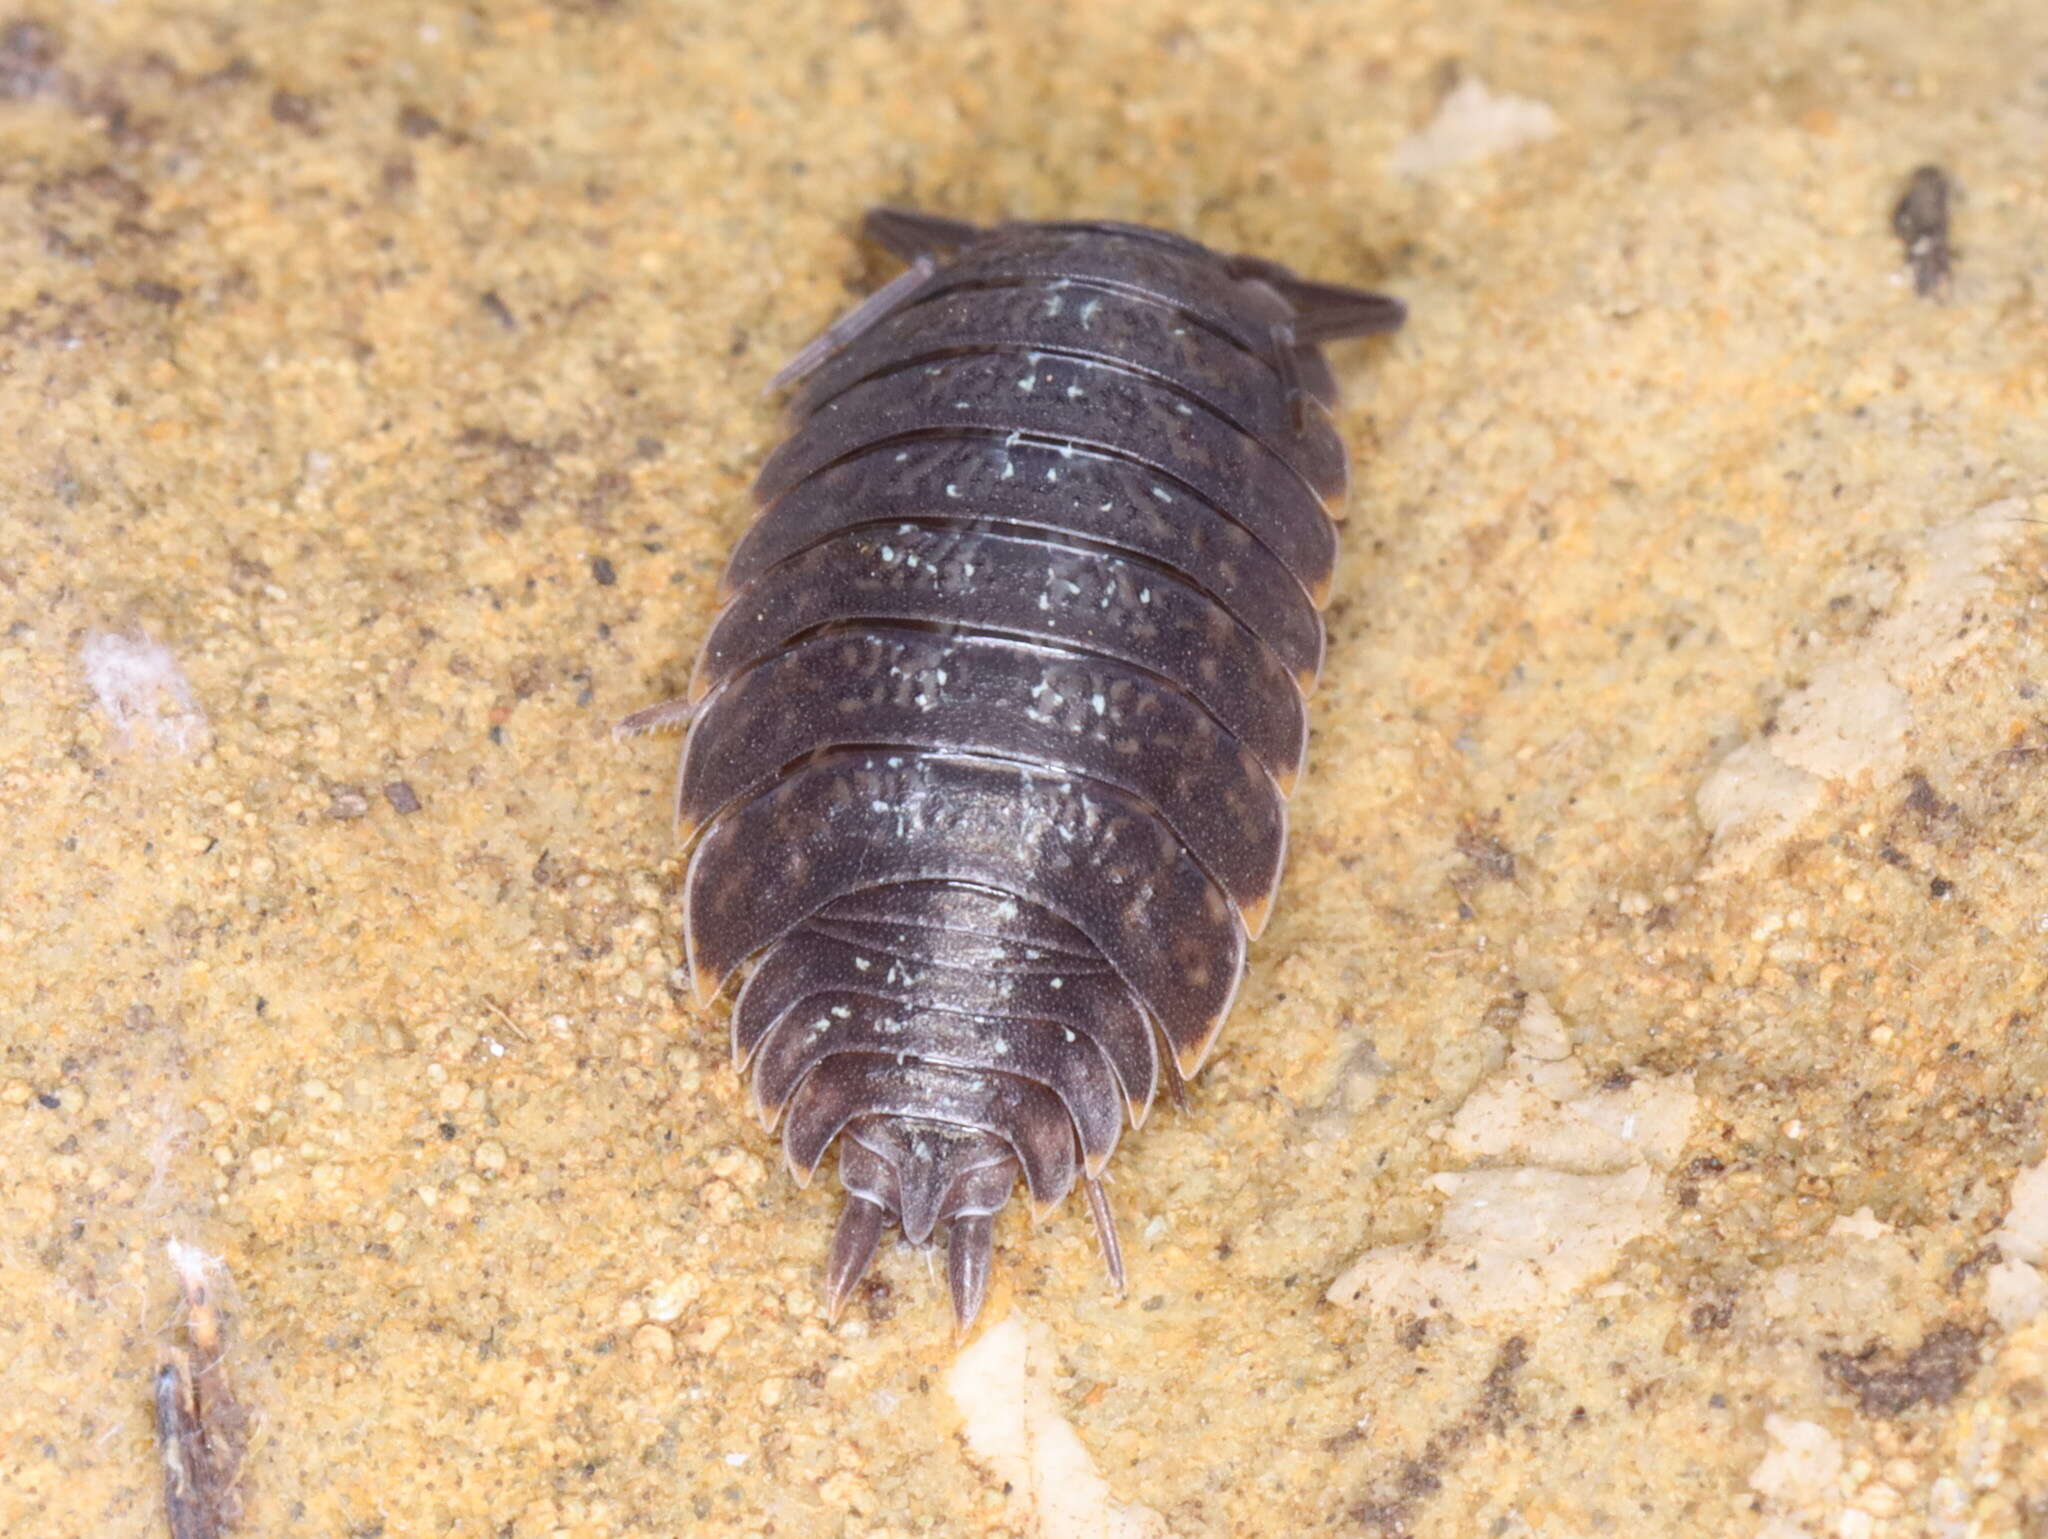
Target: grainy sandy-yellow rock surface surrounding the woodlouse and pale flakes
[{"x": 394, "y": 370}]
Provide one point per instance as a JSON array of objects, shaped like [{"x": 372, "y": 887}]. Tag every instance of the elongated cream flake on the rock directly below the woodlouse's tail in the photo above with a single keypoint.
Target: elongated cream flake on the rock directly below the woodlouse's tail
[{"x": 1005, "y": 1390}]
